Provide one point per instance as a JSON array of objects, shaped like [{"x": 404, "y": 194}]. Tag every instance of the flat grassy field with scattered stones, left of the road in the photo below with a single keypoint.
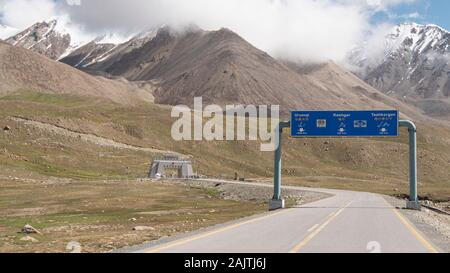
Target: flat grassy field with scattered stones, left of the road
[{"x": 101, "y": 215}]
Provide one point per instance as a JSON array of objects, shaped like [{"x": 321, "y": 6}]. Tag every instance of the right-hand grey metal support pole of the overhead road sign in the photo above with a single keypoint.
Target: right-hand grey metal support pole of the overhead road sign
[{"x": 413, "y": 202}]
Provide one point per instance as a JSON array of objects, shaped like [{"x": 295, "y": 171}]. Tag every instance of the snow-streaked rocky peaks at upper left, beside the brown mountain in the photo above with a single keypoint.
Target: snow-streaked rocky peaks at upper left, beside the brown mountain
[{"x": 60, "y": 40}]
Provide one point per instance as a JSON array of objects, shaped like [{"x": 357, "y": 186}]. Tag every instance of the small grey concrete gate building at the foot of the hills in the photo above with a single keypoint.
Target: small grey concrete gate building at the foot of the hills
[{"x": 170, "y": 166}]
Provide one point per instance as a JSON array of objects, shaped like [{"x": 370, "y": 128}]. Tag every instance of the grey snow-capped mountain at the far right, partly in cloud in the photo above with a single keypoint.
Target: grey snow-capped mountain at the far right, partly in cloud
[{"x": 413, "y": 64}]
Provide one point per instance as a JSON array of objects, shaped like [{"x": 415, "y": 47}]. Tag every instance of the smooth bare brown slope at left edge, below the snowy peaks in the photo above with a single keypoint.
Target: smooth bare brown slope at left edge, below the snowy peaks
[{"x": 22, "y": 69}]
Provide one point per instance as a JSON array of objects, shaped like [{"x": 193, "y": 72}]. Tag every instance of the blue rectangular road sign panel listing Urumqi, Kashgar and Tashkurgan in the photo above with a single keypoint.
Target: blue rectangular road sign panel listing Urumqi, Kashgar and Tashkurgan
[{"x": 344, "y": 124}]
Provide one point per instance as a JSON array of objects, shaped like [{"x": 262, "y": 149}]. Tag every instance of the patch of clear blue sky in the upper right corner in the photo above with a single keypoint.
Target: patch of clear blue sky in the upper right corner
[{"x": 421, "y": 11}]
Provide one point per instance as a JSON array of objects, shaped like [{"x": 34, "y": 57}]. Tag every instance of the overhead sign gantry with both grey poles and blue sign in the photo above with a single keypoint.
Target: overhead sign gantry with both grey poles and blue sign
[{"x": 346, "y": 124}]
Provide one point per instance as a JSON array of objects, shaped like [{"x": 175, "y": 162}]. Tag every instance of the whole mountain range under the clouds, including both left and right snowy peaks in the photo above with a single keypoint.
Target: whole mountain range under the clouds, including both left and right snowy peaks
[{"x": 223, "y": 68}]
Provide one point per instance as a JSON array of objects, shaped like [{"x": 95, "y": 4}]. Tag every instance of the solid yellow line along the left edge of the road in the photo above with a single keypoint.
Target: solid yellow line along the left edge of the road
[{"x": 211, "y": 233}]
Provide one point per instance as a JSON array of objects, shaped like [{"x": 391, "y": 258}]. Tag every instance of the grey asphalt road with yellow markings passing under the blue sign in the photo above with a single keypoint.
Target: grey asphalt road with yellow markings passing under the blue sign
[{"x": 348, "y": 222}]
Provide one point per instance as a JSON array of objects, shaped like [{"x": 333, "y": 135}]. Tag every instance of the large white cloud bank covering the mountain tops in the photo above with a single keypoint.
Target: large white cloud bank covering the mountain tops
[{"x": 307, "y": 30}]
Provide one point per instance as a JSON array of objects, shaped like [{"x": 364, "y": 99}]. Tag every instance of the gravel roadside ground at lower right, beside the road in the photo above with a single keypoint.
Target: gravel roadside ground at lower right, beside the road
[{"x": 433, "y": 225}]
